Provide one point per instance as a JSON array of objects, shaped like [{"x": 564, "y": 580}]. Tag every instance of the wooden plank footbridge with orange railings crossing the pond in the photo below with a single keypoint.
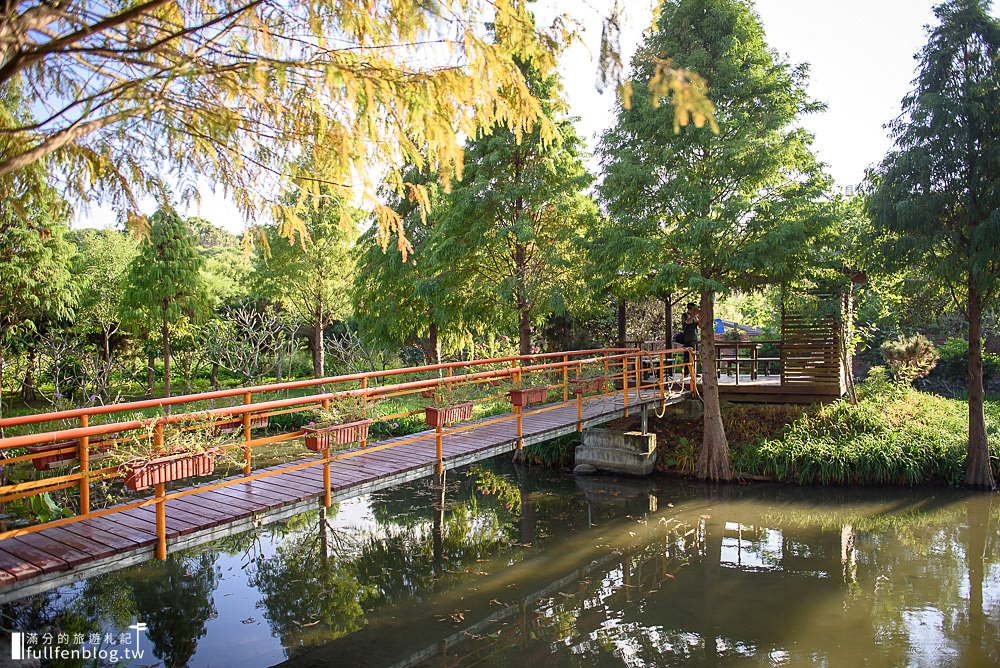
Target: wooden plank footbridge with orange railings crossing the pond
[{"x": 582, "y": 388}]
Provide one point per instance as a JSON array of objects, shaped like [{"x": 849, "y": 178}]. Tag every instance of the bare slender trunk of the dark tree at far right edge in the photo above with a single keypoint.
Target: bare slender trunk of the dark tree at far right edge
[{"x": 978, "y": 471}]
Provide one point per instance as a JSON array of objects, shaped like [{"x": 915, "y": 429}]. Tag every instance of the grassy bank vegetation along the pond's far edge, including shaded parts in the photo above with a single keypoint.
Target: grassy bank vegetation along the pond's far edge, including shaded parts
[{"x": 894, "y": 436}]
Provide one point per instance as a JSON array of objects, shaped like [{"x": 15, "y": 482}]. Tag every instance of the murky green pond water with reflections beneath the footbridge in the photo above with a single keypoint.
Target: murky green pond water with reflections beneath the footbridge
[{"x": 527, "y": 568}]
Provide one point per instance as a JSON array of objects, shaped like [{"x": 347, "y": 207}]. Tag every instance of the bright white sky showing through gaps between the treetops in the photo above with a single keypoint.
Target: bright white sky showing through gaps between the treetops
[{"x": 860, "y": 52}]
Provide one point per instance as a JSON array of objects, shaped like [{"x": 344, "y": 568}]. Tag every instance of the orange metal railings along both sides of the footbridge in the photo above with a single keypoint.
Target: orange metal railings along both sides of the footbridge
[{"x": 628, "y": 369}]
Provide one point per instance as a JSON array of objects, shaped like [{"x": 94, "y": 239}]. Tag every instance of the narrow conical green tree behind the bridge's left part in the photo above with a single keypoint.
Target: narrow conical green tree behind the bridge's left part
[{"x": 165, "y": 282}]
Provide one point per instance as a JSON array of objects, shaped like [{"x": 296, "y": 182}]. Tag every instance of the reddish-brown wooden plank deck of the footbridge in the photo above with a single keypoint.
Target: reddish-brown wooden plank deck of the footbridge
[{"x": 56, "y": 556}]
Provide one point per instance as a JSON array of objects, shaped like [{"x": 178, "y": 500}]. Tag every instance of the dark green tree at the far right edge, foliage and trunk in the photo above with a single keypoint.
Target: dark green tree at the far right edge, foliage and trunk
[{"x": 936, "y": 196}]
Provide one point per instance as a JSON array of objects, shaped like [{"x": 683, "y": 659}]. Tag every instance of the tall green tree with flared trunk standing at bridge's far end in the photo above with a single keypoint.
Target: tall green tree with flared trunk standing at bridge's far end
[{"x": 714, "y": 211}]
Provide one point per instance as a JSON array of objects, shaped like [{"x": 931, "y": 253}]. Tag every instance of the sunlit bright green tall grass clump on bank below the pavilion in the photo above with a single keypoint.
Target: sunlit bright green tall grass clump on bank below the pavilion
[{"x": 894, "y": 435}]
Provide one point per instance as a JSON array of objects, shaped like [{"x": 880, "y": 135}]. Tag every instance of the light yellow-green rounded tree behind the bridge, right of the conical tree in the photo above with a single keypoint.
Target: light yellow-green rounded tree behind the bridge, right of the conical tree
[{"x": 312, "y": 280}]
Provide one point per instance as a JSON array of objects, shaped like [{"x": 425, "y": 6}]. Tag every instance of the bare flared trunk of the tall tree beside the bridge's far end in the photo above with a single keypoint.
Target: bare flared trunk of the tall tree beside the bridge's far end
[{"x": 713, "y": 462}]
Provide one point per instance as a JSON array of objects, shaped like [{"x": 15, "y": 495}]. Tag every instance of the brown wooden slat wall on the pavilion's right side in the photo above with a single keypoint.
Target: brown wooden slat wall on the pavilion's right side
[{"x": 810, "y": 351}]
